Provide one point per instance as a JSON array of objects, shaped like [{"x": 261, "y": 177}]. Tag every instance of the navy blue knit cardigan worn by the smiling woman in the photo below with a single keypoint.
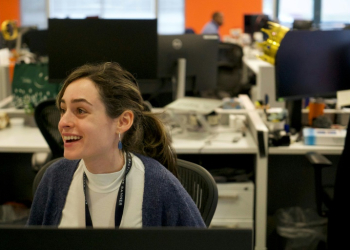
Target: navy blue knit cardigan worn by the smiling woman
[{"x": 165, "y": 201}]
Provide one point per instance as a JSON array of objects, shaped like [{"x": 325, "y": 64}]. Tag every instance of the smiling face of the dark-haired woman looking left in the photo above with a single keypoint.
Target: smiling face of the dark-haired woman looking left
[{"x": 87, "y": 132}]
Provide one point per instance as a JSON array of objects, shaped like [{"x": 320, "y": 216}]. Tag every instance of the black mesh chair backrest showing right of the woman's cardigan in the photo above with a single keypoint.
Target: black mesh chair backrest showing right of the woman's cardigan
[{"x": 201, "y": 186}]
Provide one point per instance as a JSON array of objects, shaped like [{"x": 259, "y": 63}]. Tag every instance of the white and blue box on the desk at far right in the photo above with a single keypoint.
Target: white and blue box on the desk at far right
[{"x": 327, "y": 137}]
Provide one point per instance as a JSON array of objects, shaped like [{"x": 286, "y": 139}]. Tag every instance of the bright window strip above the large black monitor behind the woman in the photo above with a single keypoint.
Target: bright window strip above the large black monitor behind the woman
[{"x": 171, "y": 13}]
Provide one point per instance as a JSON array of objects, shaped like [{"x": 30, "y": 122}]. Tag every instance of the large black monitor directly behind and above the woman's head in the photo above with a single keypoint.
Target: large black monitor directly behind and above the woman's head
[{"x": 74, "y": 42}]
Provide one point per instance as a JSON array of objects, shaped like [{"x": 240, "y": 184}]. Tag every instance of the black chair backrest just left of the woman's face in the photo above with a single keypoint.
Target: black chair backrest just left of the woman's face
[{"x": 47, "y": 117}]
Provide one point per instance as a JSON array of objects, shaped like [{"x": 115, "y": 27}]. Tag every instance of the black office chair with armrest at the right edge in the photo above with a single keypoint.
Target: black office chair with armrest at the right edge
[{"x": 333, "y": 203}]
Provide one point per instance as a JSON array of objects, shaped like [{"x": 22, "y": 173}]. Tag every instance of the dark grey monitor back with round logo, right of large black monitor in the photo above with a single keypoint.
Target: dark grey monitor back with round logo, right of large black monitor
[{"x": 200, "y": 52}]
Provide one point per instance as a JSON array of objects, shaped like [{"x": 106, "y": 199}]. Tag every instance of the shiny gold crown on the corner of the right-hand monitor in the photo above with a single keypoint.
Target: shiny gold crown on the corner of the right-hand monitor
[{"x": 276, "y": 33}]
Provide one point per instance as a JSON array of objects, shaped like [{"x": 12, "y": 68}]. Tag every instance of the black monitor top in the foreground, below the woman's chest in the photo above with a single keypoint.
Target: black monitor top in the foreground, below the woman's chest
[{"x": 132, "y": 239}]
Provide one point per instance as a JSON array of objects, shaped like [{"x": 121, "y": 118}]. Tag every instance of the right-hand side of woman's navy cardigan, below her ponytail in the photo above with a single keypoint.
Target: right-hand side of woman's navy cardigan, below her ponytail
[{"x": 166, "y": 202}]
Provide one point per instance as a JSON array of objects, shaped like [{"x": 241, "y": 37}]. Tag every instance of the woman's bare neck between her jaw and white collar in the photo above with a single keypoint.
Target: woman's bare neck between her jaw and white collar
[{"x": 105, "y": 164}]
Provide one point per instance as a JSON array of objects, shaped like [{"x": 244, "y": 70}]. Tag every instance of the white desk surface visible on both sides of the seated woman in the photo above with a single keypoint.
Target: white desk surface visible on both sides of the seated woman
[{"x": 30, "y": 140}]
